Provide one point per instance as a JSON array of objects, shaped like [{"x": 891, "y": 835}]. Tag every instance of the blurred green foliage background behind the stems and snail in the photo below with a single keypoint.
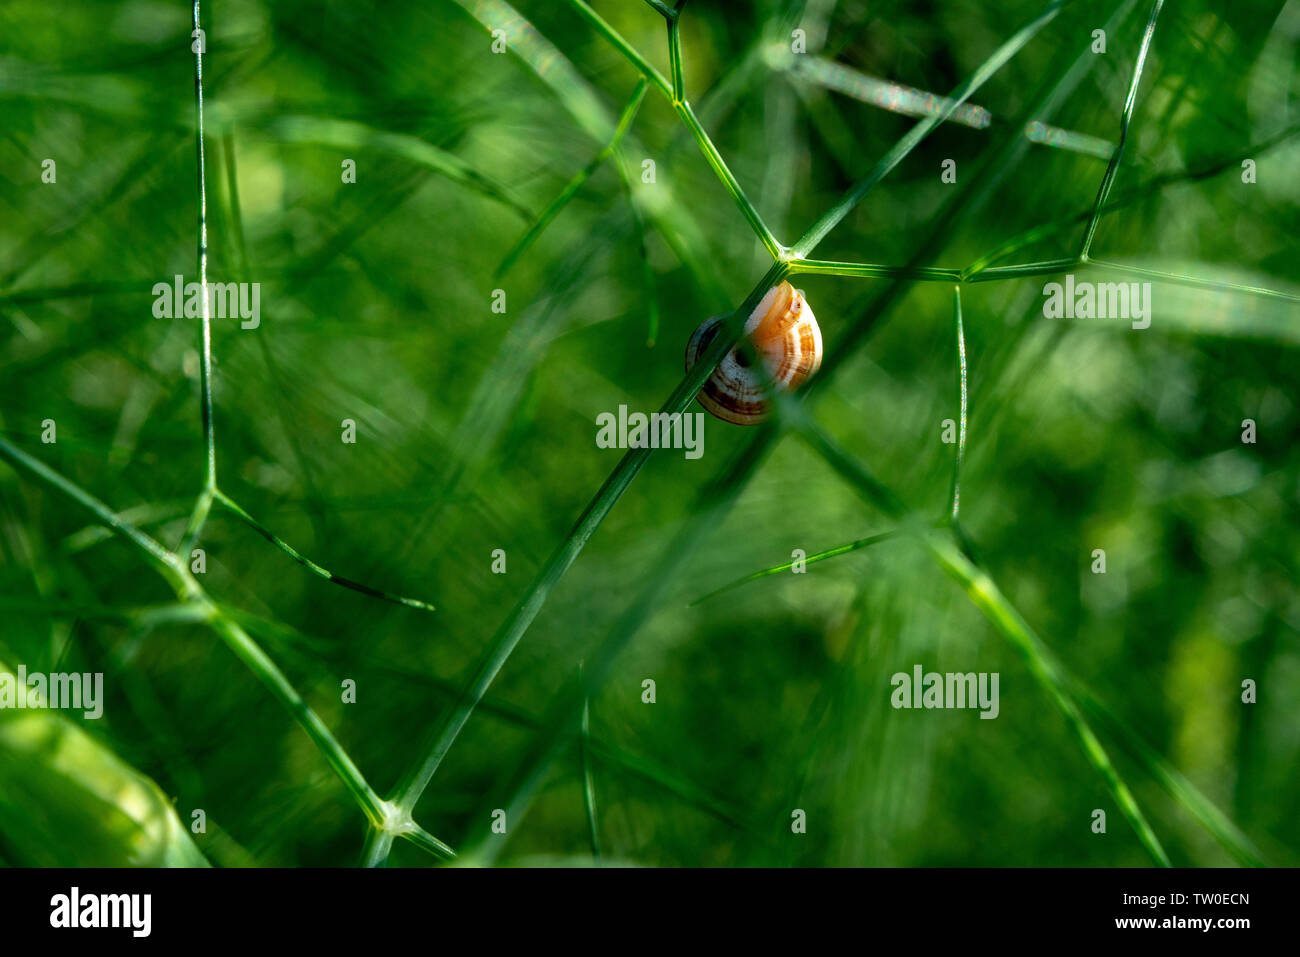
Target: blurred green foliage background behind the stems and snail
[{"x": 476, "y": 430}]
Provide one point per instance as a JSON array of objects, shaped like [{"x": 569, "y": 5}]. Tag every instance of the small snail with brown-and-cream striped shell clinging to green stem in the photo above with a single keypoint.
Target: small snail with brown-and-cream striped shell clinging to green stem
[{"x": 785, "y": 334}]
